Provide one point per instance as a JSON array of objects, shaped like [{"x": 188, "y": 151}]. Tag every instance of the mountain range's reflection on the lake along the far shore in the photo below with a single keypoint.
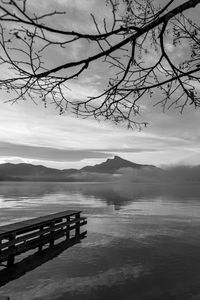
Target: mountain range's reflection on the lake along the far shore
[{"x": 117, "y": 194}]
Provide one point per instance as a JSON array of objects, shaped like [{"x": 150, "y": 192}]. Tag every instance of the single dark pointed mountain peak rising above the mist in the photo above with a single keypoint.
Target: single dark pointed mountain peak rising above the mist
[{"x": 113, "y": 165}]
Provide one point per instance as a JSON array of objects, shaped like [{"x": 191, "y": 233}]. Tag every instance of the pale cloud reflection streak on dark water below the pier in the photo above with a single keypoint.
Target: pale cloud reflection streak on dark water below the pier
[{"x": 58, "y": 286}]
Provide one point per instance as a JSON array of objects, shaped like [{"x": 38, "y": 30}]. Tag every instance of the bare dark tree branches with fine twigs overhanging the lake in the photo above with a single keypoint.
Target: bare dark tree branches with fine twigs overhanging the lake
[{"x": 138, "y": 43}]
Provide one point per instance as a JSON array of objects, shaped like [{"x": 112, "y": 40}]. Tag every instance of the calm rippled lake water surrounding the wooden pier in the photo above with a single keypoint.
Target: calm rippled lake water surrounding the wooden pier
[{"x": 143, "y": 241}]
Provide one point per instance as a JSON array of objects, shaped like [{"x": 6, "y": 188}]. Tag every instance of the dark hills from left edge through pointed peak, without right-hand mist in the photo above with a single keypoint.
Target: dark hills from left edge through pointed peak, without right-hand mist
[{"x": 24, "y": 171}]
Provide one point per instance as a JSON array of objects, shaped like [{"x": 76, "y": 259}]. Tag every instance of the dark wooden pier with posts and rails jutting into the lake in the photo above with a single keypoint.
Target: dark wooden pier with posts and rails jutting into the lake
[{"x": 20, "y": 237}]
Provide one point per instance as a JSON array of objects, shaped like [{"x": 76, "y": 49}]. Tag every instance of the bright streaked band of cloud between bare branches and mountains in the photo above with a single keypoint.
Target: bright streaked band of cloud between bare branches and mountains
[{"x": 170, "y": 139}]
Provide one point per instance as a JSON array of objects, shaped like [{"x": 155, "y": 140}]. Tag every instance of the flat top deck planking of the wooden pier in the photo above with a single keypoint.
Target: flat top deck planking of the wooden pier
[{"x": 26, "y": 225}]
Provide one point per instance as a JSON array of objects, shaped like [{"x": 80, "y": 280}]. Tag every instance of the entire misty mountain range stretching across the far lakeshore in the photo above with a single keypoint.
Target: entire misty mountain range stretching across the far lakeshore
[{"x": 106, "y": 171}]
